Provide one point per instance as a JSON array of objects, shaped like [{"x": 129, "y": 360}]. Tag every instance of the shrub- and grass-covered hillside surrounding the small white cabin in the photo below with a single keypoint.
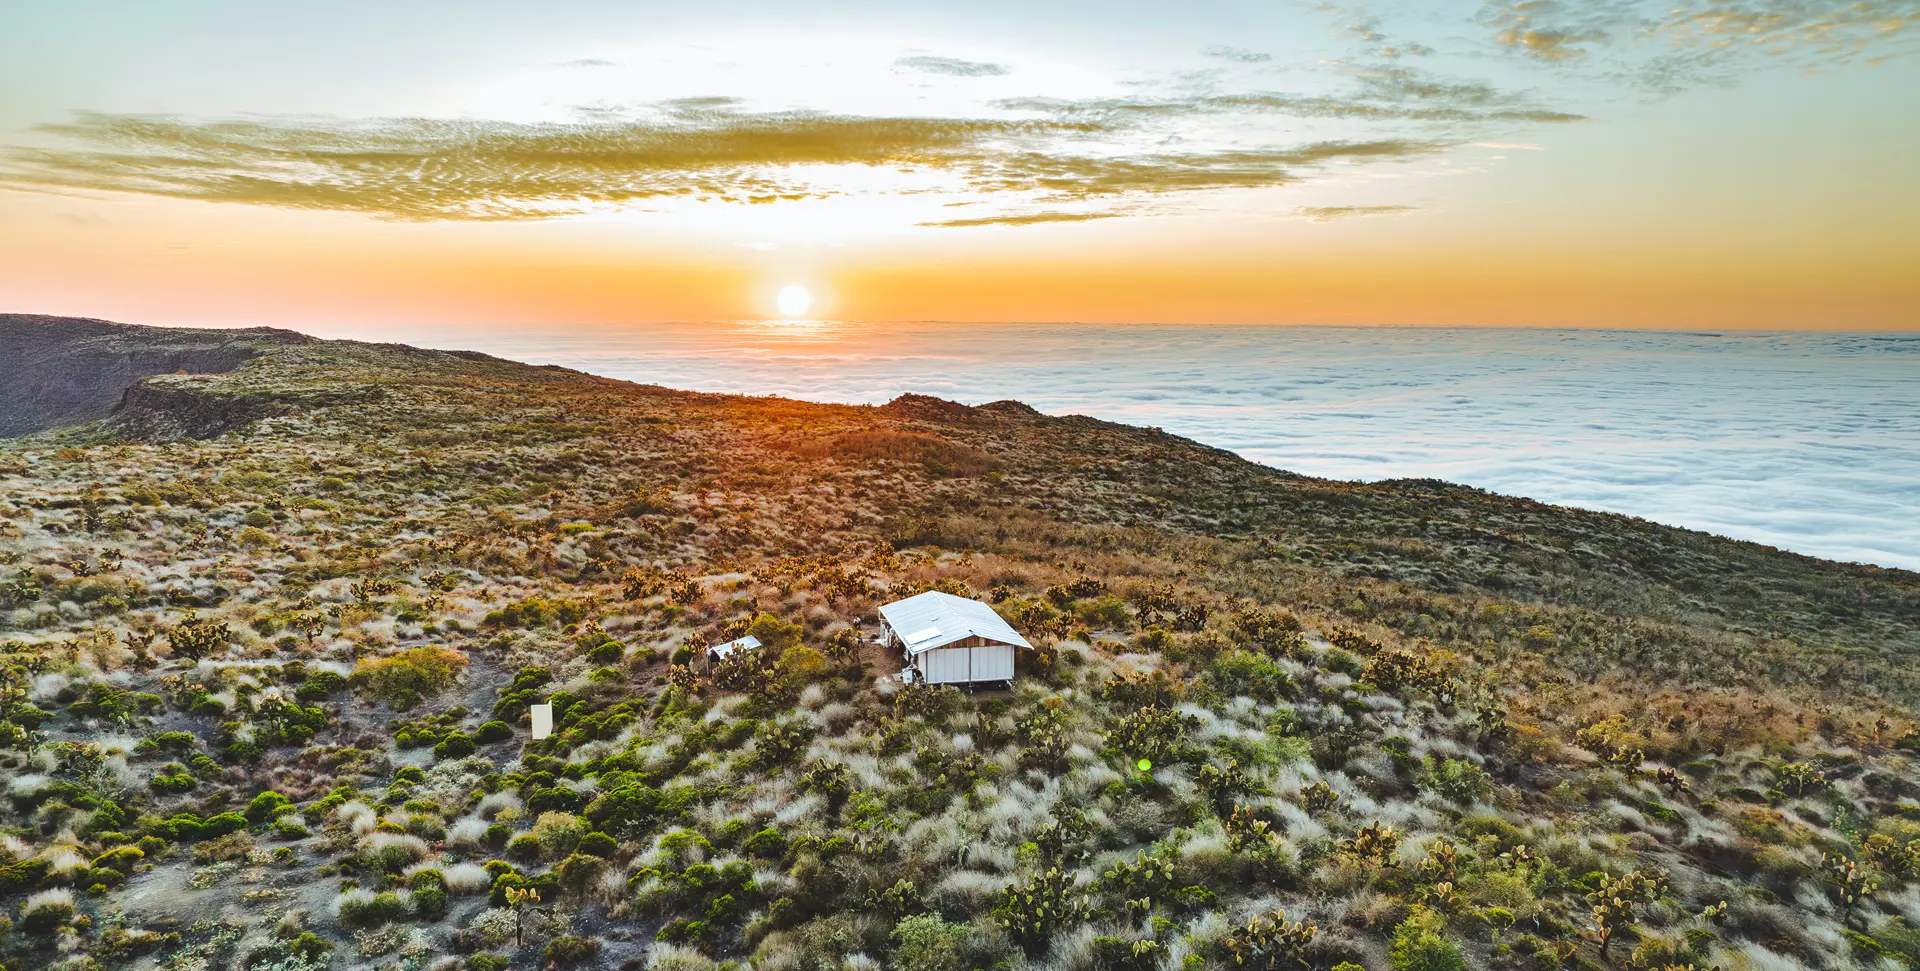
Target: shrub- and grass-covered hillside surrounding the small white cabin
[{"x": 274, "y": 611}]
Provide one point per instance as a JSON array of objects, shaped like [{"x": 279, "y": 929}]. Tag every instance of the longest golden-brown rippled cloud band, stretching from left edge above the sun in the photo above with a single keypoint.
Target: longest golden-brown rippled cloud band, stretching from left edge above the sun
[{"x": 1034, "y": 156}]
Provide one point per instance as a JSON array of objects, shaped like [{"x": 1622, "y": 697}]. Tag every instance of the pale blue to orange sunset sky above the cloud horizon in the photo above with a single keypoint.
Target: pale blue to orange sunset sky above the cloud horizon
[{"x": 1727, "y": 164}]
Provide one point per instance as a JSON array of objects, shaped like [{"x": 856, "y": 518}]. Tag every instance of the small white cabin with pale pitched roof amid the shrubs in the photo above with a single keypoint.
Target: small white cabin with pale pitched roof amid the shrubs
[{"x": 951, "y": 640}]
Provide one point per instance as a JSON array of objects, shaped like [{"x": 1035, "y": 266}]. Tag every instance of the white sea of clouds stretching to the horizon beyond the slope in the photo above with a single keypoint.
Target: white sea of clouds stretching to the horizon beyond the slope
[{"x": 1808, "y": 442}]
